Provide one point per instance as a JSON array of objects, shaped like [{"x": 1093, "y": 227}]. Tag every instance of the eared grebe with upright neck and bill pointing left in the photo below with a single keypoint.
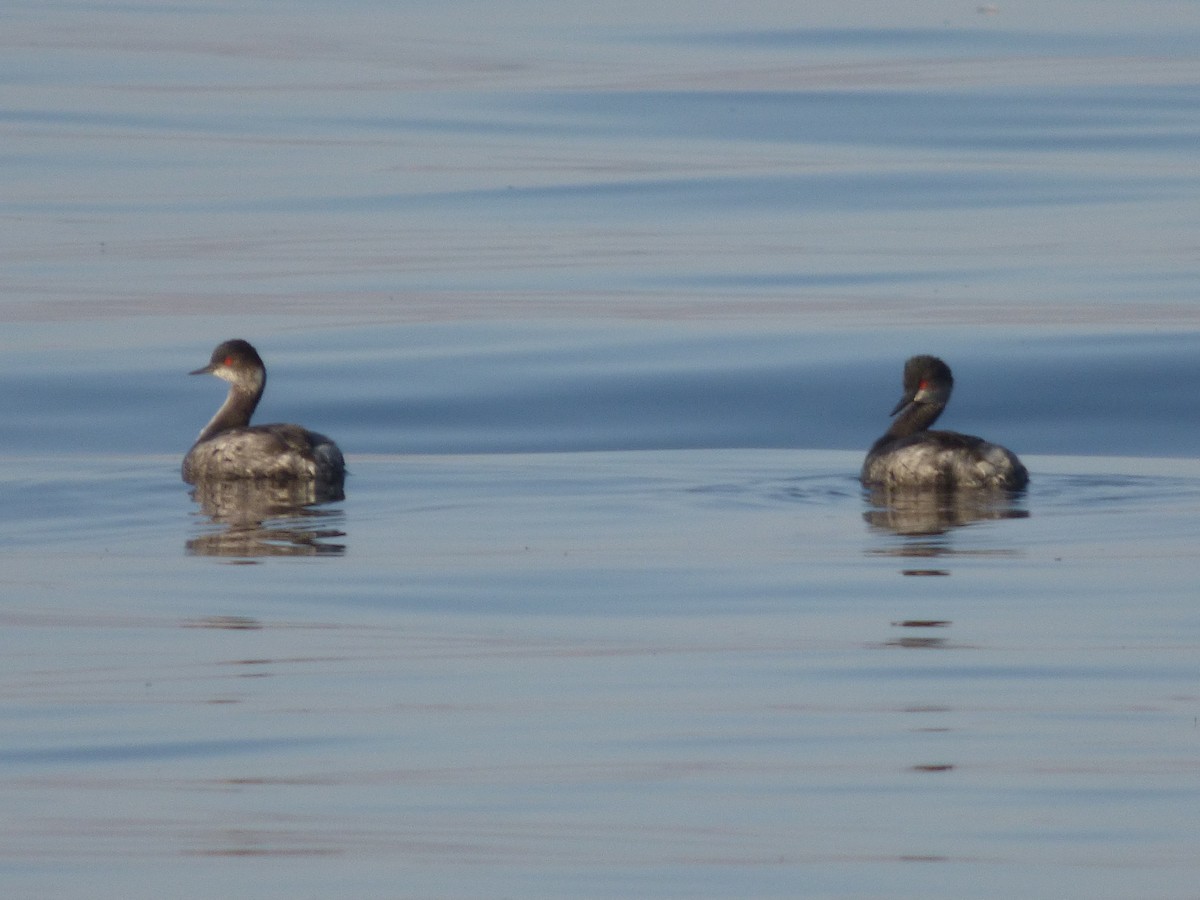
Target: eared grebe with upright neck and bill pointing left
[{"x": 231, "y": 448}]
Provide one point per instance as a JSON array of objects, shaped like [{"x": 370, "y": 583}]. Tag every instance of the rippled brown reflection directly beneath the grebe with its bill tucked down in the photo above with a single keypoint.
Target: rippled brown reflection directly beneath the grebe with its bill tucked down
[{"x": 919, "y": 512}]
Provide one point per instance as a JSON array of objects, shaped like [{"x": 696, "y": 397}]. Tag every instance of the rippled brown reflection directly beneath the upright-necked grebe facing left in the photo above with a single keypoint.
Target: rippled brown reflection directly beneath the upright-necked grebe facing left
[{"x": 267, "y": 519}]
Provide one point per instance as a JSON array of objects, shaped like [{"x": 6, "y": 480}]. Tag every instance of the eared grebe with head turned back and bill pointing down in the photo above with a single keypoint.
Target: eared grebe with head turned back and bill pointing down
[{"x": 910, "y": 455}]
